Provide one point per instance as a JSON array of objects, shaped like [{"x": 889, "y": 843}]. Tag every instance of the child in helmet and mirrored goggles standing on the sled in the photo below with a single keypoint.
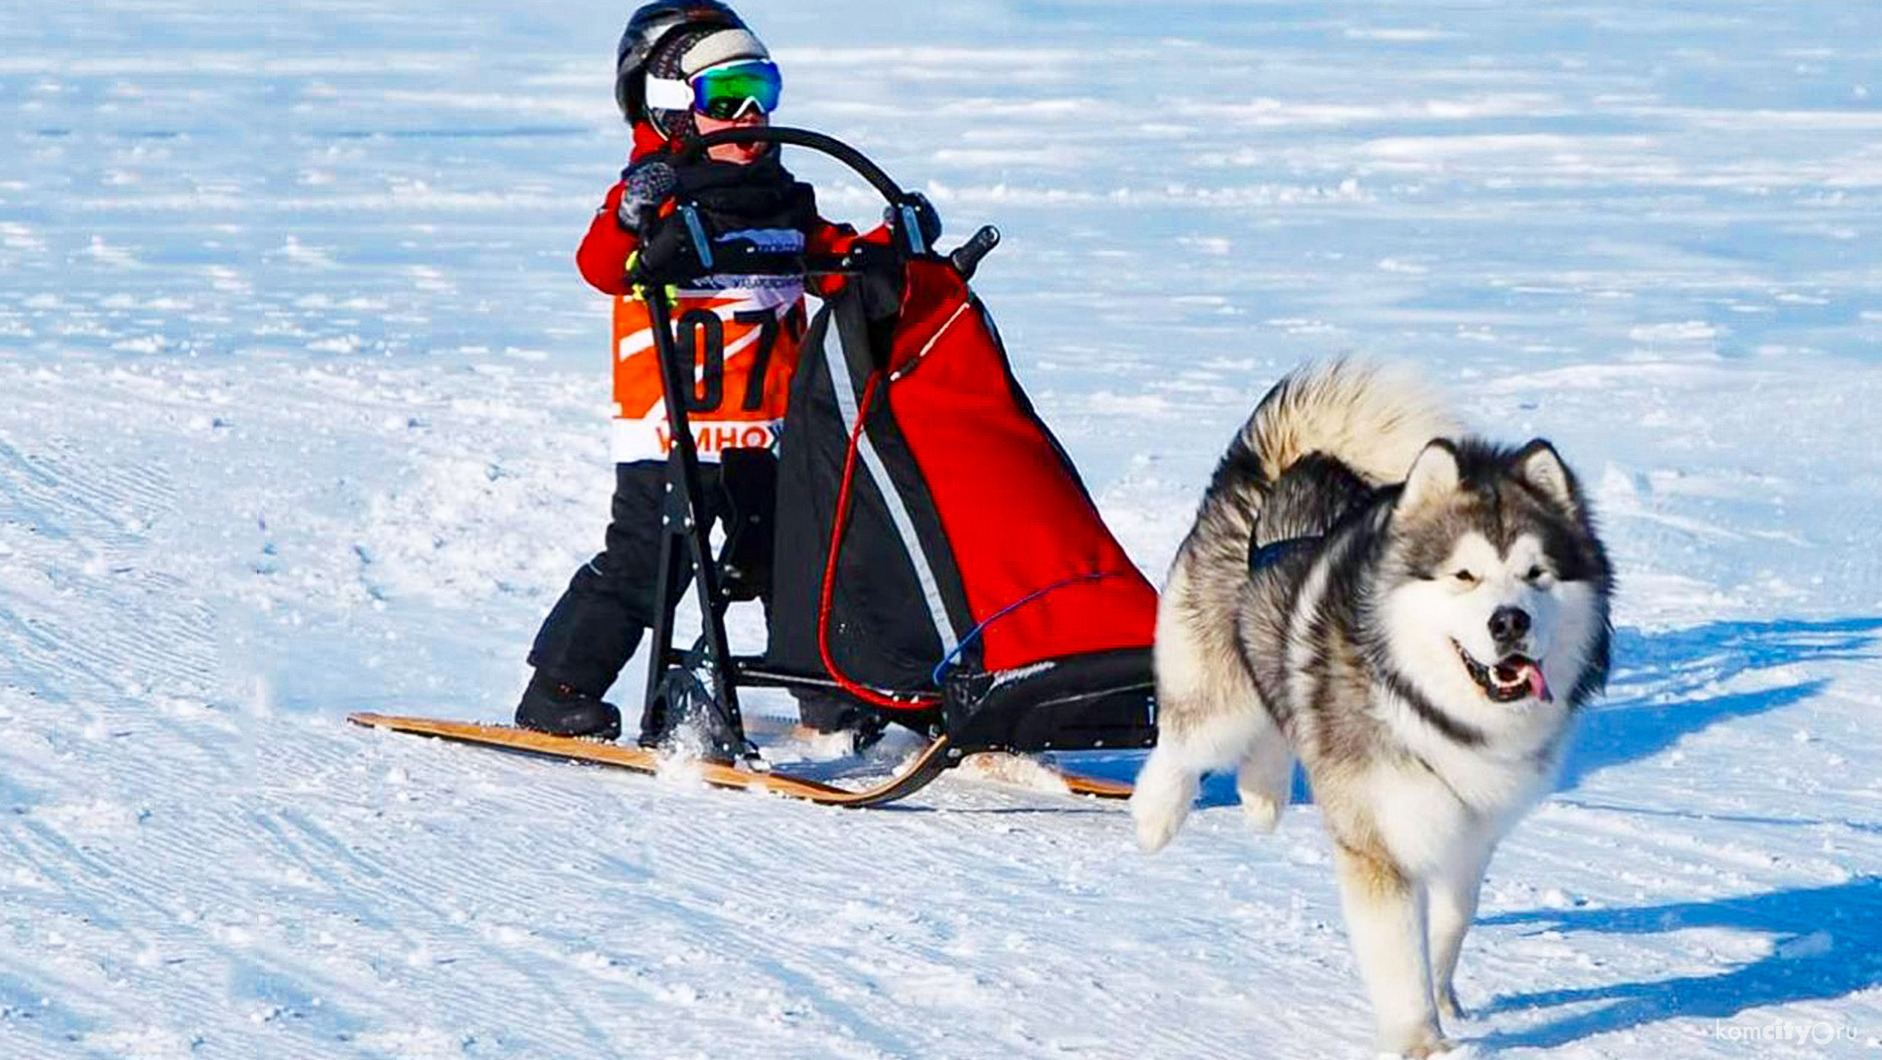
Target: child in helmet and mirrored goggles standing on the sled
[{"x": 682, "y": 71}]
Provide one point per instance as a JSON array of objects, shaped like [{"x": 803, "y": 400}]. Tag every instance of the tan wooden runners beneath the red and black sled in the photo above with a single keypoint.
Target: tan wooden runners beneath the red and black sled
[{"x": 914, "y": 777}]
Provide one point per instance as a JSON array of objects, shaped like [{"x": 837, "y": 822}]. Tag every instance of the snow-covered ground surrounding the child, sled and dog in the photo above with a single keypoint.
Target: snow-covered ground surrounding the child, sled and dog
[{"x": 302, "y": 411}]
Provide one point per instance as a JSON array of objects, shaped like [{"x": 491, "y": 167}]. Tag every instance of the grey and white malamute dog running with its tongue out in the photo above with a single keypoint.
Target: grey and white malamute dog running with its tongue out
[{"x": 1412, "y": 615}]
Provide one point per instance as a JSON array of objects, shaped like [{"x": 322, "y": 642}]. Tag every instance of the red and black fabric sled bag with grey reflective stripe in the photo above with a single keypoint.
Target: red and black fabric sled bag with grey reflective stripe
[{"x": 938, "y": 554}]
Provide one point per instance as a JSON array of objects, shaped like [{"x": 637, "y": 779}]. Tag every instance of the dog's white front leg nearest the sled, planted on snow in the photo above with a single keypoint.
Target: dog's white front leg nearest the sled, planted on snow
[{"x": 1386, "y": 918}]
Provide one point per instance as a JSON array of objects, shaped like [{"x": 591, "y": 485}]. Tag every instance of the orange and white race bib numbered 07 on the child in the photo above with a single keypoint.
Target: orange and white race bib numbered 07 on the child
[{"x": 744, "y": 347}]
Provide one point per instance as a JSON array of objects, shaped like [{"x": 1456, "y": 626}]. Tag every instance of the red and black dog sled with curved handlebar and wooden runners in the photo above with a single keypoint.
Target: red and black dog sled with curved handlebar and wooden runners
[{"x": 933, "y": 556}]
